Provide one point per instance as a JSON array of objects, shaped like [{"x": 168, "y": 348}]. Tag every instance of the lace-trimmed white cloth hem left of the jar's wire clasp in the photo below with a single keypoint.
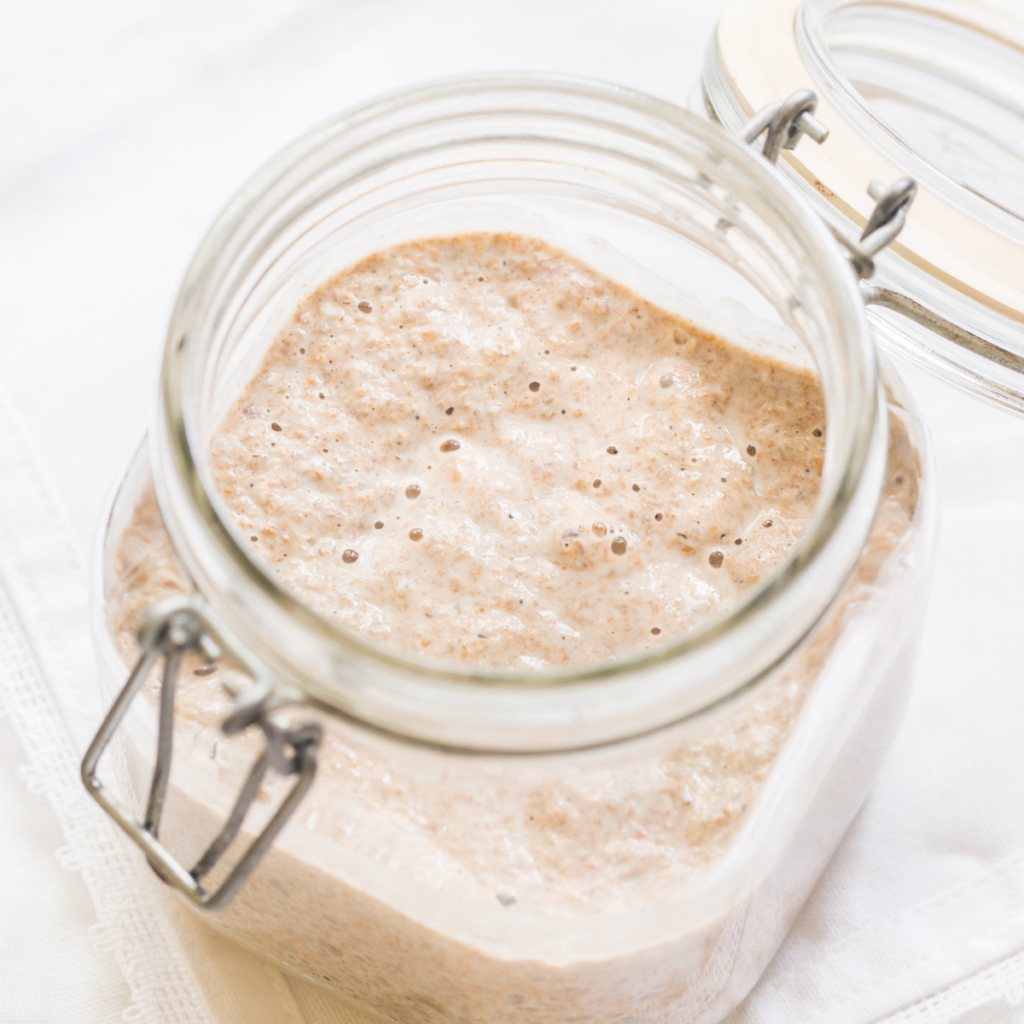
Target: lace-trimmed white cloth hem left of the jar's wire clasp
[{"x": 53, "y": 690}]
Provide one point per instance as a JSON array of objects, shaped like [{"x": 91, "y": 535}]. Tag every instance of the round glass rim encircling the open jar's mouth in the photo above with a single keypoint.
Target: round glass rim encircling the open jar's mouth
[{"x": 202, "y": 533}]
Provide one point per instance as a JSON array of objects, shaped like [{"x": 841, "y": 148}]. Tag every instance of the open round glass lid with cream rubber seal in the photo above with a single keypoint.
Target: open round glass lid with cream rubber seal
[{"x": 926, "y": 89}]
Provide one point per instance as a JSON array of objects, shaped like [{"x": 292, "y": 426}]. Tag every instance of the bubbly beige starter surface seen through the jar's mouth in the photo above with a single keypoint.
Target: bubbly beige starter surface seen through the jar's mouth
[{"x": 479, "y": 449}]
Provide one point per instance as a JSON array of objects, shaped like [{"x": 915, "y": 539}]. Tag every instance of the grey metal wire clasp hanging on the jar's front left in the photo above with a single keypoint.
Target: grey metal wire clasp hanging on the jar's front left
[{"x": 169, "y": 631}]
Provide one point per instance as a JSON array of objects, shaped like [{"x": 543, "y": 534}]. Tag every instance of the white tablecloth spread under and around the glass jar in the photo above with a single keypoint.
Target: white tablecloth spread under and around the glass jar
[{"x": 126, "y": 127}]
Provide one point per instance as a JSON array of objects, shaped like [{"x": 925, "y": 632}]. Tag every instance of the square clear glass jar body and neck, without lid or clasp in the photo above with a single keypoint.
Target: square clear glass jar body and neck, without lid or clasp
[{"x": 629, "y": 841}]
